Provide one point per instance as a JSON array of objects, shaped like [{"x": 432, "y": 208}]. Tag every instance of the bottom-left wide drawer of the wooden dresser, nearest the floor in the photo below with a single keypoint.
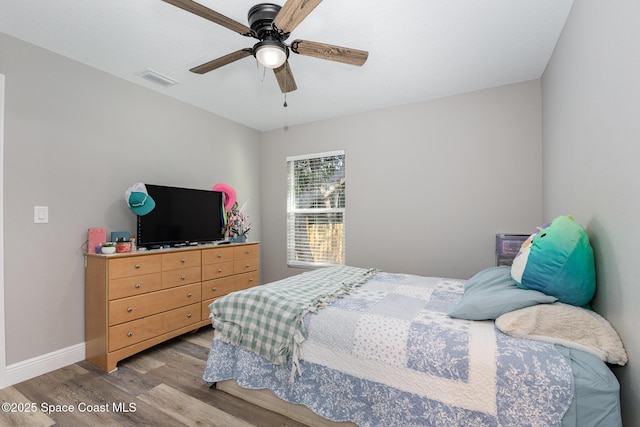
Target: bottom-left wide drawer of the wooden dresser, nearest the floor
[{"x": 130, "y": 333}]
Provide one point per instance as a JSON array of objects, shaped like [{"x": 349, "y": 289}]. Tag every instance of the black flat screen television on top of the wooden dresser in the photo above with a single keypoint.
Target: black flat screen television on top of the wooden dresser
[{"x": 182, "y": 216}]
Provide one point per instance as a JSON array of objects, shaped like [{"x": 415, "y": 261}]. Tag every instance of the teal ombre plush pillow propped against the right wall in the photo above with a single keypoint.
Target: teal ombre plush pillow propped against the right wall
[{"x": 557, "y": 260}]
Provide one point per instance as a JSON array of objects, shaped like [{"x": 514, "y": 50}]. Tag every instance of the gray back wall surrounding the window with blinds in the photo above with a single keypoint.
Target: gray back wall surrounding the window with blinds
[{"x": 428, "y": 185}]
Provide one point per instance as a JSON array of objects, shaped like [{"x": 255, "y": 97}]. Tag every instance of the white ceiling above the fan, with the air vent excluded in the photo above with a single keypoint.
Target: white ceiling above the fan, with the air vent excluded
[{"x": 418, "y": 50}]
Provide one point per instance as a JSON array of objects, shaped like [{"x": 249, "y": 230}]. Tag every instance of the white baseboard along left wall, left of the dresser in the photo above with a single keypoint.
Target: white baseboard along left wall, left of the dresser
[{"x": 46, "y": 363}]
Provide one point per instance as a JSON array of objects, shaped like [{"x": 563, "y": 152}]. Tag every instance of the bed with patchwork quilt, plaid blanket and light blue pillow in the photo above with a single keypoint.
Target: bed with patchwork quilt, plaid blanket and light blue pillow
[{"x": 376, "y": 348}]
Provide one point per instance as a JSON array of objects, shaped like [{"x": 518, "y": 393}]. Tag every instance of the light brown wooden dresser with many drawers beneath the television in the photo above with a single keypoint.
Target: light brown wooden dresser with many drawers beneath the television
[{"x": 136, "y": 300}]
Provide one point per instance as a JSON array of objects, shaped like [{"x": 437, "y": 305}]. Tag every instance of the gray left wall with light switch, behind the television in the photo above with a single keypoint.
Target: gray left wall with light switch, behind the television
[{"x": 75, "y": 140}]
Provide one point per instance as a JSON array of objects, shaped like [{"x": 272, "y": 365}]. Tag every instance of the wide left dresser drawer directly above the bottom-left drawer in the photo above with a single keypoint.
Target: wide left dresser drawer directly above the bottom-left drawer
[{"x": 131, "y": 308}]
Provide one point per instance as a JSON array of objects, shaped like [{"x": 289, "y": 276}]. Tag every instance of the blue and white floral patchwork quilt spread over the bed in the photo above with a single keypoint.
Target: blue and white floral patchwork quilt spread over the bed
[{"x": 388, "y": 354}]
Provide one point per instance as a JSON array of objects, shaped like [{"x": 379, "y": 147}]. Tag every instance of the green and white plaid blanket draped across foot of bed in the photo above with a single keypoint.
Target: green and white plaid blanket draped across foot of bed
[{"x": 267, "y": 319}]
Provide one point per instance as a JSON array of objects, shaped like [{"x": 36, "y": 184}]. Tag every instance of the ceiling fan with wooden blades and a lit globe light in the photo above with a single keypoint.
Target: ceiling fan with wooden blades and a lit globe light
[{"x": 272, "y": 25}]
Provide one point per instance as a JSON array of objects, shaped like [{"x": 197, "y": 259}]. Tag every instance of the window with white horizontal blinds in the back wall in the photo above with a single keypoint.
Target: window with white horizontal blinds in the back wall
[{"x": 316, "y": 209}]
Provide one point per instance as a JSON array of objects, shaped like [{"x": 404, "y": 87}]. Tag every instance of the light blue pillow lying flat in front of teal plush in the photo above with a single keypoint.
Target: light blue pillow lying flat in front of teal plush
[{"x": 493, "y": 292}]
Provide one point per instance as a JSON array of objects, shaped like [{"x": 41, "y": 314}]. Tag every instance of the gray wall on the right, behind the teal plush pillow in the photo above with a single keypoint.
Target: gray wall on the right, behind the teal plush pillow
[{"x": 591, "y": 101}]
